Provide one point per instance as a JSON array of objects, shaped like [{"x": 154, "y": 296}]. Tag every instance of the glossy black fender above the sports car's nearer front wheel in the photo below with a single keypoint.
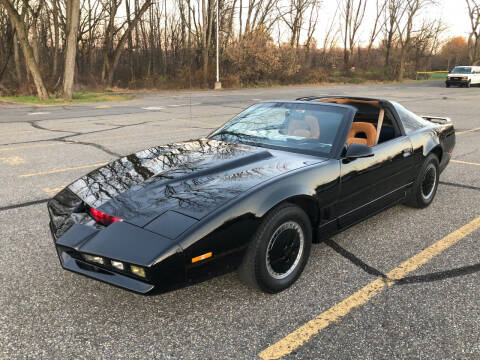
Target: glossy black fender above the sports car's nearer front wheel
[{"x": 237, "y": 220}]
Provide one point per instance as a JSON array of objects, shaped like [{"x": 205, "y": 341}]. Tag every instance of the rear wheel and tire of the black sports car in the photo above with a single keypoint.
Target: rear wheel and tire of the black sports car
[{"x": 426, "y": 183}]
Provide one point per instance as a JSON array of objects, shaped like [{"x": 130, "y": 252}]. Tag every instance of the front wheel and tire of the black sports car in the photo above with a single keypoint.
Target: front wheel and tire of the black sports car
[{"x": 279, "y": 250}]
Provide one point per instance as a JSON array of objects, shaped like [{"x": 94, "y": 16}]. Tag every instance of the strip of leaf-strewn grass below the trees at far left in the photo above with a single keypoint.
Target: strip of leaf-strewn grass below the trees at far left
[{"x": 80, "y": 97}]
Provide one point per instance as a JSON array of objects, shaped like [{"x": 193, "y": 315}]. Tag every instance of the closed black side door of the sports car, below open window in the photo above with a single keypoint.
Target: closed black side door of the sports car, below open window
[{"x": 370, "y": 184}]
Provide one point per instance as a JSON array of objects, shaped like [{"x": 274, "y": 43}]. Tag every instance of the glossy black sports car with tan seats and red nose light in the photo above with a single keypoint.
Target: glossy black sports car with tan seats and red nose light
[{"x": 254, "y": 194}]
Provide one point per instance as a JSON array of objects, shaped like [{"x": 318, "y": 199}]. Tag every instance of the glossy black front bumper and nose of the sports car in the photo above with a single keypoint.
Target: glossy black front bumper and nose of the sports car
[{"x": 128, "y": 244}]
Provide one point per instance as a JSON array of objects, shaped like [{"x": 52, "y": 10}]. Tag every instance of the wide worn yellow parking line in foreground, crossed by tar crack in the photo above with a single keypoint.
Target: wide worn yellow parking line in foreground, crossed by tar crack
[{"x": 304, "y": 333}]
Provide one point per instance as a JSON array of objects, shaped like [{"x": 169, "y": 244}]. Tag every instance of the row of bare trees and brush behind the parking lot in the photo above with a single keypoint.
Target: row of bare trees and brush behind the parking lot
[{"x": 48, "y": 46}]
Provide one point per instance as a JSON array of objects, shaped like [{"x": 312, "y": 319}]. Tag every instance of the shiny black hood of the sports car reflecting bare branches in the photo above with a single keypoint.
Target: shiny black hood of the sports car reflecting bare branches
[{"x": 192, "y": 178}]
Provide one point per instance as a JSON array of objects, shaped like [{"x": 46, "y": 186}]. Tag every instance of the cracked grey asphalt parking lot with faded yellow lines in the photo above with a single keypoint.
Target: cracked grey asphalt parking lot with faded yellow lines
[{"x": 341, "y": 307}]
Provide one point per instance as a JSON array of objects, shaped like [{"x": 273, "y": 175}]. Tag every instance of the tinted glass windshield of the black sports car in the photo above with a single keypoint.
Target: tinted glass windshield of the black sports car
[{"x": 300, "y": 127}]
